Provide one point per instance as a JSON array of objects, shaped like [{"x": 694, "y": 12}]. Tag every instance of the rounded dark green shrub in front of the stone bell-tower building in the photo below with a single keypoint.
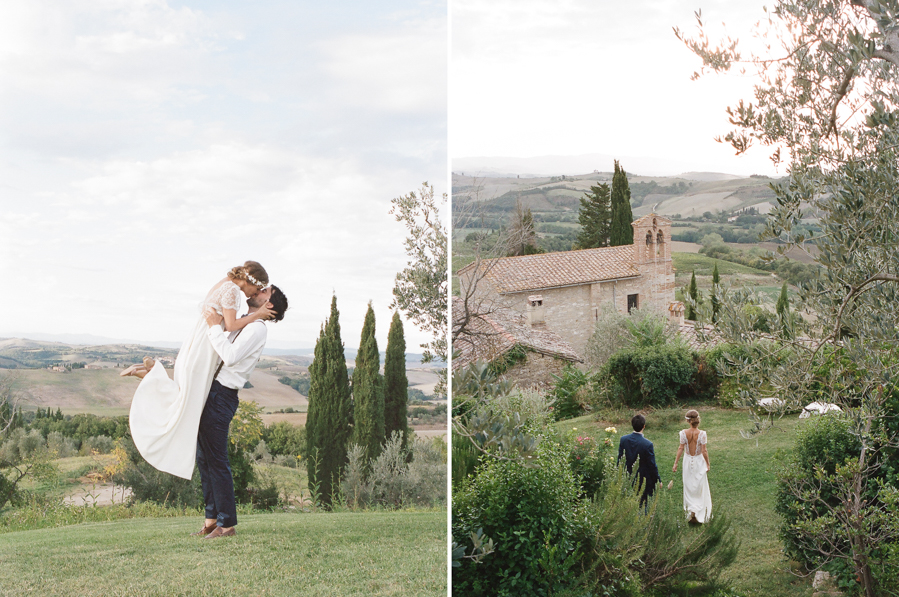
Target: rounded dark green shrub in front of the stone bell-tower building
[{"x": 650, "y": 376}]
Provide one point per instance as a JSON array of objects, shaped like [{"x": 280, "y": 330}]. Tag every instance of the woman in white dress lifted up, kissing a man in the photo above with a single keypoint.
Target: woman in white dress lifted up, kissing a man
[{"x": 165, "y": 413}]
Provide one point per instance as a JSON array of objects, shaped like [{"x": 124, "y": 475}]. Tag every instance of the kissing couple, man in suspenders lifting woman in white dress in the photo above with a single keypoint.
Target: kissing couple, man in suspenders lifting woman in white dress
[{"x": 178, "y": 422}]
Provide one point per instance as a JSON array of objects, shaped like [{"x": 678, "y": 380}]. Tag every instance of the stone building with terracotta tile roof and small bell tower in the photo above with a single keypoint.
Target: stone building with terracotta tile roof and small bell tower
[{"x": 563, "y": 293}]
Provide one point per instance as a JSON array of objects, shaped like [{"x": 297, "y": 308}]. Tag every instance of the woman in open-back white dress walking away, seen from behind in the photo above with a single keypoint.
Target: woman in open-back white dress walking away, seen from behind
[{"x": 693, "y": 443}]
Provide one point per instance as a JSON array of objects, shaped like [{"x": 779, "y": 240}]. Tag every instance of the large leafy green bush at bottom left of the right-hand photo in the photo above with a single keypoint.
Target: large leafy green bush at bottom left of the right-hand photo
[{"x": 531, "y": 513}]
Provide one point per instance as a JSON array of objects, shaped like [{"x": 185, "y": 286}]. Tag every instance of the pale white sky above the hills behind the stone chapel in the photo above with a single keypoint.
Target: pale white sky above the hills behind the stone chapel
[{"x": 572, "y": 77}]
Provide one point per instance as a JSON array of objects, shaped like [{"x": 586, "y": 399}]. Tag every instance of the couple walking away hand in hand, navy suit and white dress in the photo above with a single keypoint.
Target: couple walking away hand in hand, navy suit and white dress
[{"x": 692, "y": 443}]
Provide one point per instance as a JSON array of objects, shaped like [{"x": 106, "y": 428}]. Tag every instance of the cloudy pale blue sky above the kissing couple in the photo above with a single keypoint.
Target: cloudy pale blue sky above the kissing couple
[{"x": 147, "y": 146}]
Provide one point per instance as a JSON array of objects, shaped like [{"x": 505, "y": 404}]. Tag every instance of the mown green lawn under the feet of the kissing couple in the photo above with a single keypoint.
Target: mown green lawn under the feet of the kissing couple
[{"x": 336, "y": 554}]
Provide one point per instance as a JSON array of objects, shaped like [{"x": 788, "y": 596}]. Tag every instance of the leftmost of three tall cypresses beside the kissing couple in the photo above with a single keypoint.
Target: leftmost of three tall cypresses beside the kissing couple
[{"x": 329, "y": 416}]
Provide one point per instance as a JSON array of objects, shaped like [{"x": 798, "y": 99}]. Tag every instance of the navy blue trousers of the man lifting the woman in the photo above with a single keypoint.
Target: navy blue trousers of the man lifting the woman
[{"x": 212, "y": 455}]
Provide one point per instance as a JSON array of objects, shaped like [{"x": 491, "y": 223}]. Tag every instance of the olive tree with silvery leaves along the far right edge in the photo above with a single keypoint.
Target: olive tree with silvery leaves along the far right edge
[{"x": 825, "y": 104}]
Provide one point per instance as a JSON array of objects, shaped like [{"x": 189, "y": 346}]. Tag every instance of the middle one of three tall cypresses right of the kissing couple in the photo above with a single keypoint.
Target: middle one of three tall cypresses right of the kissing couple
[{"x": 368, "y": 391}]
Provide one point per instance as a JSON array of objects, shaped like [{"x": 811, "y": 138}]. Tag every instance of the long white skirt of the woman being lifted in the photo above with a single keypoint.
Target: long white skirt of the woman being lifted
[{"x": 165, "y": 413}]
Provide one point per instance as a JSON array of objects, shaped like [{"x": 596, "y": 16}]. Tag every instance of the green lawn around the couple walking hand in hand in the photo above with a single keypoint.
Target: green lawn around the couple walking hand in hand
[{"x": 742, "y": 484}]
